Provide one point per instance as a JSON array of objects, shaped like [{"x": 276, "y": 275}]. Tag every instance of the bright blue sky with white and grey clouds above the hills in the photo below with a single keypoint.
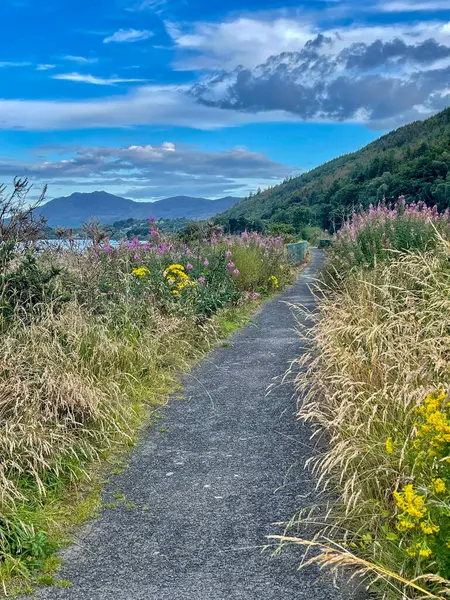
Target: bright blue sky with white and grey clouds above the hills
[{"x": 153, "y": 98}]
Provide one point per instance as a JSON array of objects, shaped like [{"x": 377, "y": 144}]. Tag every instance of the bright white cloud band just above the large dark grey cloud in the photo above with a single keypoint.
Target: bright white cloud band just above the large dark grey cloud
[{"x": 251, "y": 41}]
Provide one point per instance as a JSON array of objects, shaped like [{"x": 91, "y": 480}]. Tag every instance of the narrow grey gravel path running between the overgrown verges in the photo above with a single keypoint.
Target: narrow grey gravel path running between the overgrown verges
[{"x": 206, "y": 491}]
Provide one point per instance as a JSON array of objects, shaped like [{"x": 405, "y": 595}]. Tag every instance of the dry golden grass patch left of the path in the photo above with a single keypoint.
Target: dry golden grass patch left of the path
[{"x": 69, "y": 387}]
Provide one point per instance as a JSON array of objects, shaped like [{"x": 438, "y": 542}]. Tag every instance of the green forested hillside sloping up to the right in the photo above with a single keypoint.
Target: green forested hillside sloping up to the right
[{"x": 414, "y": 160}]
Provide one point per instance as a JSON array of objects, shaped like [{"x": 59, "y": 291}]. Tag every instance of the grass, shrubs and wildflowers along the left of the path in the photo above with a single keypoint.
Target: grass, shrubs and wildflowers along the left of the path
[{"x": 92, "y": 340}]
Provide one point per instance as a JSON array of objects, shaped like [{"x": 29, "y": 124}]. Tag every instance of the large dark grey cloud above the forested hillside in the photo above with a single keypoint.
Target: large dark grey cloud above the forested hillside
[{"x": 374, "y": 82}]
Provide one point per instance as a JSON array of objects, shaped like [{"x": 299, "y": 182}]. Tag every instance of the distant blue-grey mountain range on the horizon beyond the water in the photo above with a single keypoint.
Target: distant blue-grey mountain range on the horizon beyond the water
[{"x": 73, "y": 210}]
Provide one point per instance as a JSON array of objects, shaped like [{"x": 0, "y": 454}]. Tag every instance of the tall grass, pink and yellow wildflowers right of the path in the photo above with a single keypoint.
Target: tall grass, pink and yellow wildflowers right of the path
[{"x": 375, "y": 388}]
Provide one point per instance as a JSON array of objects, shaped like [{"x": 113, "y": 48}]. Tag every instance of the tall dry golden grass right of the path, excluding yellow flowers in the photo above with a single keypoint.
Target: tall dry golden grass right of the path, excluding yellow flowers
[{"x": 381, "y": 342}]
